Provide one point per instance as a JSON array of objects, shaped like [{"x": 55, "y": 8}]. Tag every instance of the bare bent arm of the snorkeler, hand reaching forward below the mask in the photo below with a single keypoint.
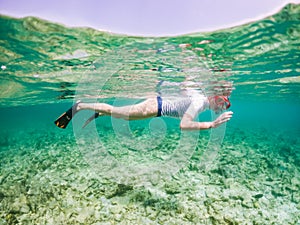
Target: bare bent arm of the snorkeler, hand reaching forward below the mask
[{"x": 187, "y": 122}]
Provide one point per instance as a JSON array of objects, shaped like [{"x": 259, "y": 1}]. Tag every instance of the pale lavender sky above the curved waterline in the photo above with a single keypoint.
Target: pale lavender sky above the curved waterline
[{"x": 146, "y": 17}]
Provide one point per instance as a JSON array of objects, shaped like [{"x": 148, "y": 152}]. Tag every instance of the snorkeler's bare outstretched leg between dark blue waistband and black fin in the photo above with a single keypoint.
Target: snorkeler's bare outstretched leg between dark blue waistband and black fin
[{"x": 143, "y": 110}]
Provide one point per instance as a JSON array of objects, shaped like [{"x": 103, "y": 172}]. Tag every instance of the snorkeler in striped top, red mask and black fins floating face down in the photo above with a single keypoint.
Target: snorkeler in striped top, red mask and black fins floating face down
[{"x": 186, "y": 107}]
